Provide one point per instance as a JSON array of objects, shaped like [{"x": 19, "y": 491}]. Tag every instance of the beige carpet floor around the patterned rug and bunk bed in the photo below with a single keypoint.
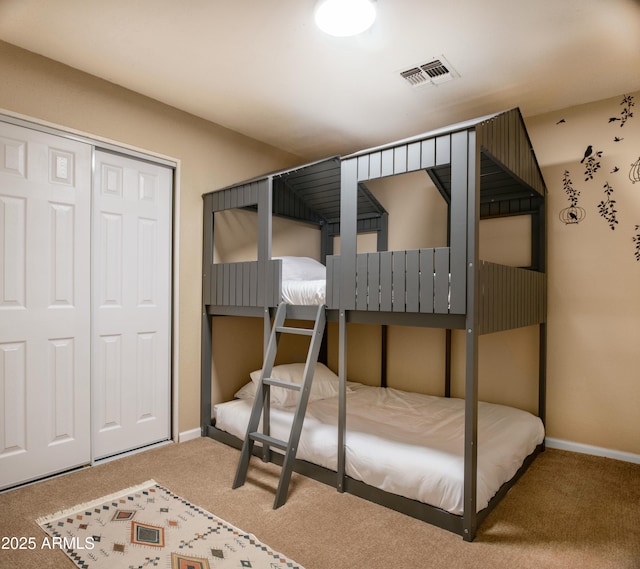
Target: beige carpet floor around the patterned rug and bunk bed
[{"x": 568, "y": 511}]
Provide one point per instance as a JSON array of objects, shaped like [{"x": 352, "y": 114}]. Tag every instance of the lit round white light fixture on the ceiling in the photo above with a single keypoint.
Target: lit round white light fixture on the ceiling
[{"x": 343, "y": 18}]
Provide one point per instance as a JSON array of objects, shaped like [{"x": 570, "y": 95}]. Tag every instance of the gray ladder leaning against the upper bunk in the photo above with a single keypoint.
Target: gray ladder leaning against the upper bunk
[{"x": 261, "y": 402}]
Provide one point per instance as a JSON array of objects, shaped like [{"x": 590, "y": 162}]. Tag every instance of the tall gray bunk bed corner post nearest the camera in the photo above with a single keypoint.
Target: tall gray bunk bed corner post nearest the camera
[{"x": 464, "y": 150}]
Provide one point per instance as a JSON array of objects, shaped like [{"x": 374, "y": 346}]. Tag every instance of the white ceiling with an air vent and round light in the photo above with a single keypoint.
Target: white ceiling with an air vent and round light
[{"x": 260, "y": 67}]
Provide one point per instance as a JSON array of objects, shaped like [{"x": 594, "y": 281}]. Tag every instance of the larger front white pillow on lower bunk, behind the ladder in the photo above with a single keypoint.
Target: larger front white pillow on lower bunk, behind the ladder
[{"x": 324, "y": 385}]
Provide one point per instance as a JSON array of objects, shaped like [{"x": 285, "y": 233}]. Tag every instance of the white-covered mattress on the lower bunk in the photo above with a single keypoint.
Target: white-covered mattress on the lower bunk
[{"x": 405, "y": 443}]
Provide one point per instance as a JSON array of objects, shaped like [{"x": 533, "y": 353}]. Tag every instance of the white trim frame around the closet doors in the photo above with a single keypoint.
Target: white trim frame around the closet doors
[{"x": 130, "y": 151}]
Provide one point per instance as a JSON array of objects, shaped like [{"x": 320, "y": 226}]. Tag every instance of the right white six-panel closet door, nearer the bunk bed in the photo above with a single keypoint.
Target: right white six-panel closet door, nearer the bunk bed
[{"x": 131, "y": 351}]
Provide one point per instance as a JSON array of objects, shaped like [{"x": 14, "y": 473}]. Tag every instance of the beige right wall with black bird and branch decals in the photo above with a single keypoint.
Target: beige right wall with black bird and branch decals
[{"x": 594, "y": 275}]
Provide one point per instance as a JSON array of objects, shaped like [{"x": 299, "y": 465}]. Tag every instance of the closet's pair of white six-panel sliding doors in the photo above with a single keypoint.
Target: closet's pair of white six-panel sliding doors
[{"x": 85, "y": 302}]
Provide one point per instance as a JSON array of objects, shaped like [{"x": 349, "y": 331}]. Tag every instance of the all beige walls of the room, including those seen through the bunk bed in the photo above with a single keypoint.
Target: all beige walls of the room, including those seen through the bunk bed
[{"x": 594, "y": 277}]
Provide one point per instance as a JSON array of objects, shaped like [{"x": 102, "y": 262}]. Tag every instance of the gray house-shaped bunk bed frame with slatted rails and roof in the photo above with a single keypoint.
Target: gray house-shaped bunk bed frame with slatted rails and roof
[{"x": 485, "y": 168}]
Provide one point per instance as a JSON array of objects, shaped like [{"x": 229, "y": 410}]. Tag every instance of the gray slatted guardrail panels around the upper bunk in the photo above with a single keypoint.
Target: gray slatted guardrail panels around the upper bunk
[{"x": 415, "y": 281}]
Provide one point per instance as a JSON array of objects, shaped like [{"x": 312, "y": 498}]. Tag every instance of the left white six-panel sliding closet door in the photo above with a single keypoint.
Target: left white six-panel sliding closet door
[{"x": 45, "y": 200}]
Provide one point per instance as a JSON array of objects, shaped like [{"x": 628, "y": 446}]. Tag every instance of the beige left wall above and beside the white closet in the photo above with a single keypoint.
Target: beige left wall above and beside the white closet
[{"x": 210, "y": 157}]
